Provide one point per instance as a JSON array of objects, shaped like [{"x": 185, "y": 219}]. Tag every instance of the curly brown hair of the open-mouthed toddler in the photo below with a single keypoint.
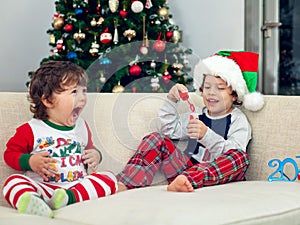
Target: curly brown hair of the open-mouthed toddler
[{"x": 50, "y": 78}]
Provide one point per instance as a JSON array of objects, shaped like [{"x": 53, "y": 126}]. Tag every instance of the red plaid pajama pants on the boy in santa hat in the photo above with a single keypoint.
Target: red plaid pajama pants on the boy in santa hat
[{"x": 158, "y": 152}]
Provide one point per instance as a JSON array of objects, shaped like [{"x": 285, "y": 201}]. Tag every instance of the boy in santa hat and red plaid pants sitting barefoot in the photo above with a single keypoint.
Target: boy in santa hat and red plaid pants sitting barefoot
[{"x": 218, "y": 138}]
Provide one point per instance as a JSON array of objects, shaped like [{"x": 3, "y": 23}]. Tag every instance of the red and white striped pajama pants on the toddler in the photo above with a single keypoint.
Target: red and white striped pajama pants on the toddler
[{"x": 93, "y": 186}]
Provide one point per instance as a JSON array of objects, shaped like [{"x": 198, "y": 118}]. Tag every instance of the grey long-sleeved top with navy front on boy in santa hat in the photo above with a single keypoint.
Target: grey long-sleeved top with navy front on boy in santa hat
[{"x": 214, "y": 143}]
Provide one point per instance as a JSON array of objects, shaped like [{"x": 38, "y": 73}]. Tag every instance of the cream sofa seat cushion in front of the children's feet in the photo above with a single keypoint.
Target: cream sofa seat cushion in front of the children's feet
[{"x": 251, "y": 202}]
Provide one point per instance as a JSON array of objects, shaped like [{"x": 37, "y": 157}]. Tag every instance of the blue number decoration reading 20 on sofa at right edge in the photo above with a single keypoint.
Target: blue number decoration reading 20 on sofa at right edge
[{"x": 280, "y": 169}]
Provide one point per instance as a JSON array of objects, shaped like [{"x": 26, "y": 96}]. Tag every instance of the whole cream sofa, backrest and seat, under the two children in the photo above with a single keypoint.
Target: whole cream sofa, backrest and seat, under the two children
[{"x": 119, "y": 121}]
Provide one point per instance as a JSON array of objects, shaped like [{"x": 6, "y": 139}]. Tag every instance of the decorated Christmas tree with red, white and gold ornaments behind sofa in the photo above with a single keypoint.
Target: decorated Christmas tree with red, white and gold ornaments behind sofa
[{"x": 124, "y": 45}]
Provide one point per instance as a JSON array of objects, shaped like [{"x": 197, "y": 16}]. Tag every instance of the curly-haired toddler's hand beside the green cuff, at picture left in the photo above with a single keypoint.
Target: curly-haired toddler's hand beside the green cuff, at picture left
[{"x": 40, "y": 163}]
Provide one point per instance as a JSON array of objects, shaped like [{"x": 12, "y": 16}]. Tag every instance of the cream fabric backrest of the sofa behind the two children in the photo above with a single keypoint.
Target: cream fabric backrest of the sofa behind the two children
[{"x": 119, "y": 121}]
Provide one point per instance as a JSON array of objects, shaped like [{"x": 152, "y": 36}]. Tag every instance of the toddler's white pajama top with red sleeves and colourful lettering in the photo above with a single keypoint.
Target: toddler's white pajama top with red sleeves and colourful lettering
[{"x": 65, "y": 144}]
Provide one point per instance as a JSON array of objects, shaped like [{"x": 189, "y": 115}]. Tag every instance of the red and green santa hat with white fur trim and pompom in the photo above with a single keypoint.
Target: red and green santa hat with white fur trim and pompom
[{"x": 239, "y": 70}]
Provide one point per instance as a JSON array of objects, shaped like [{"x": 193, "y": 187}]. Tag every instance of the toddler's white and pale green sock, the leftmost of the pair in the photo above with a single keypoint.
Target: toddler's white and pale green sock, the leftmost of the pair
[{"x": 32, "y": 204}]
